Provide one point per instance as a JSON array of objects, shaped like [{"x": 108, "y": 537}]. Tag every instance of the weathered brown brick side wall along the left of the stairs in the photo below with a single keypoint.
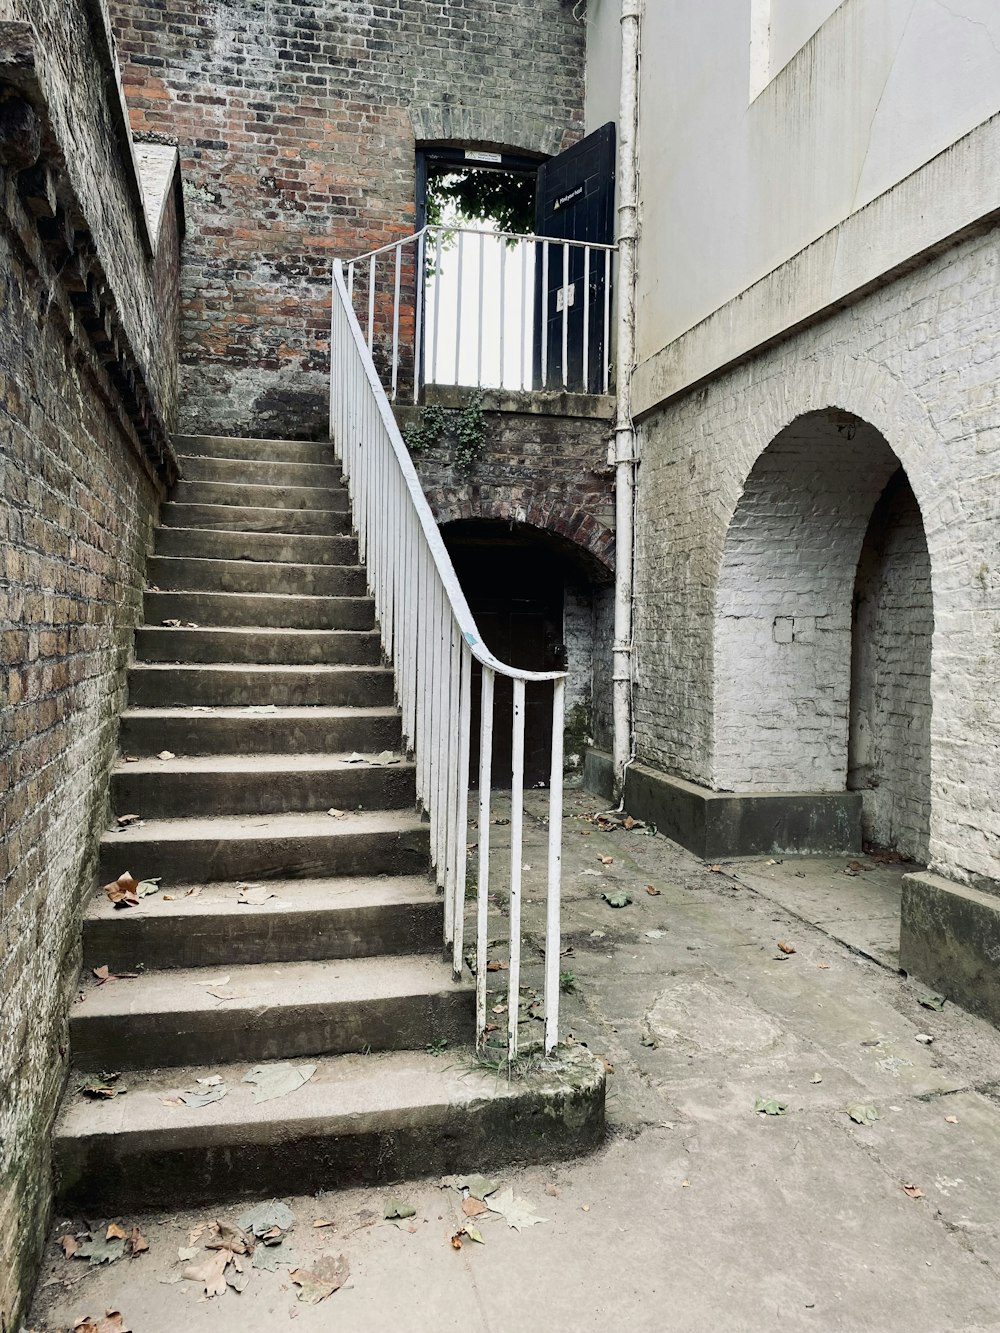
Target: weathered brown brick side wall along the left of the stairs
[{"x": 83, "y": 467}]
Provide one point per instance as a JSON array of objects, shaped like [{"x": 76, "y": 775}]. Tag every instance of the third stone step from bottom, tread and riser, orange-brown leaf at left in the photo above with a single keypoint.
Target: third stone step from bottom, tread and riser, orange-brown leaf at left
[{"x": 306, "y": 919}]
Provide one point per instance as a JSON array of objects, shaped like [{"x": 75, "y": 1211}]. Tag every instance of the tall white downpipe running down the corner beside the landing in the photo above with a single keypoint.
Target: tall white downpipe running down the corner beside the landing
[{"x": 625, "y": 451}]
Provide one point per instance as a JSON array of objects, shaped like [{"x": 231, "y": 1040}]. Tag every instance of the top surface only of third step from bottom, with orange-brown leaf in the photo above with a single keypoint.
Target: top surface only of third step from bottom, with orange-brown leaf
[{"x": 290, "y": 896}]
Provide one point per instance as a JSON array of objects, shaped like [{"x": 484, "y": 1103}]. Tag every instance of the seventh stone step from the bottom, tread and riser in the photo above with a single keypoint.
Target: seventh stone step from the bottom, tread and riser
[{"x": 166, "y": 684}]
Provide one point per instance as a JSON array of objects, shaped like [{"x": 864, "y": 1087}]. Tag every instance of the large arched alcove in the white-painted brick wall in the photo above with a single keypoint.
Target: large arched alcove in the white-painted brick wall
[{"x": 823, "y": 630}]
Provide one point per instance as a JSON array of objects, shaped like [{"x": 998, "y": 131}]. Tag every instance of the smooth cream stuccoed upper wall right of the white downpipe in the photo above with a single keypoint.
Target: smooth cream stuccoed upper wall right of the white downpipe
[{"x": 766, "y": 125}]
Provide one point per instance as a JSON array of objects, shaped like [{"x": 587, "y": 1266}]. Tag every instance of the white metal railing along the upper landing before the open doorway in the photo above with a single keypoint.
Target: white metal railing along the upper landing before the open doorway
[{"x": 487, "y": 322}]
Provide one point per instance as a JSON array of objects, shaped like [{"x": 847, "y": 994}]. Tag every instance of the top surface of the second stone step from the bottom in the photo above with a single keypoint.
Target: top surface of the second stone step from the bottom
[{"x": 269, "y": 987}]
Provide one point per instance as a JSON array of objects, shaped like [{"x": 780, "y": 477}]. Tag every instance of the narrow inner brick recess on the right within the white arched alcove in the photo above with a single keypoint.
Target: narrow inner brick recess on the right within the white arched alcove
[{"x": 891, "y": 676}]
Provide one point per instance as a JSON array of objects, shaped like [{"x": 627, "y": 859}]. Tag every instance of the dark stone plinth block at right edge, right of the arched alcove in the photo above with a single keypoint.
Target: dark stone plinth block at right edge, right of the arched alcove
[{"x": 950, "y": 939}]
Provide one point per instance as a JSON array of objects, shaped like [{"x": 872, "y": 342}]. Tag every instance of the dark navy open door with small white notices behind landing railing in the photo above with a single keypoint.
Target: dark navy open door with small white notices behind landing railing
[{"x": 574, "y": 201}]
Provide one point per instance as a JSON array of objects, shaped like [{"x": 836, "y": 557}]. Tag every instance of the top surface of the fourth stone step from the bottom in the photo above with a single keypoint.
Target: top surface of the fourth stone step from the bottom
[{"x": 263, "y": 827}]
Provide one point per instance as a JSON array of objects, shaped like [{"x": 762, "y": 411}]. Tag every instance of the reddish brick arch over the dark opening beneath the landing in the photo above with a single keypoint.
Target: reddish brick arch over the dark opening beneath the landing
[{"x": 594, "y": 541}]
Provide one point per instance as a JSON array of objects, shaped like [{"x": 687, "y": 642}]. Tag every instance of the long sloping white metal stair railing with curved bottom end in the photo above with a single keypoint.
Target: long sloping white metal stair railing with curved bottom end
[{"x": 429, "y": 631}]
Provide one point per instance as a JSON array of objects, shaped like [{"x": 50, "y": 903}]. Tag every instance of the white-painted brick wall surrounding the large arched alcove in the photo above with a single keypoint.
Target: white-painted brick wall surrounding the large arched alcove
[{"x": 919, "y": 361}]
